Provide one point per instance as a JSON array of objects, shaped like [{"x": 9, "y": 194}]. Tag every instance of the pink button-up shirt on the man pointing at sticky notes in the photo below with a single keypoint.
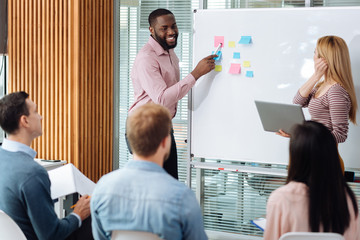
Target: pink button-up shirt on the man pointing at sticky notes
[{"x": 155, "y": 76}]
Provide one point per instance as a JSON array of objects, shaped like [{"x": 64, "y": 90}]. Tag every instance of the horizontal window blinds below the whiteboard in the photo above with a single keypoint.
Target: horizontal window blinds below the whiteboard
[{"x": 230, "y": 199}]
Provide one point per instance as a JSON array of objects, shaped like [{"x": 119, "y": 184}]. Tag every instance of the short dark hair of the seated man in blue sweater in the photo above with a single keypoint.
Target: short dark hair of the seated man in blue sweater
[{"x": 12, "y": 107}]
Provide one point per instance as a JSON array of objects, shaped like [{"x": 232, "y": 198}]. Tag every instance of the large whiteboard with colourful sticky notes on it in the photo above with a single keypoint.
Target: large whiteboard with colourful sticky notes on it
[{"x": 224, "y": 120}]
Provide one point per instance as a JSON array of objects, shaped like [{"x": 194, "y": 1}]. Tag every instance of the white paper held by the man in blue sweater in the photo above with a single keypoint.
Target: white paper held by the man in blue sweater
[{"x": 68, "y": 179}]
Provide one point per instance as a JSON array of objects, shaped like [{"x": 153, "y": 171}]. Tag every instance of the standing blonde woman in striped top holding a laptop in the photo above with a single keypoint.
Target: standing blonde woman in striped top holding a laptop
[{"x": 329, "y": 93}]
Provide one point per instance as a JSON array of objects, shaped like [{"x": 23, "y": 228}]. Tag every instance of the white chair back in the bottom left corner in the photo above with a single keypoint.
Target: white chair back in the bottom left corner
[{"x": 9, "y": 230}]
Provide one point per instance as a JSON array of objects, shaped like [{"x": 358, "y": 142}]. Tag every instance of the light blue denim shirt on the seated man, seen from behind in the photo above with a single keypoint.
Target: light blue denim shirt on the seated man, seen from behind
[{"x": 143, "y": 197}]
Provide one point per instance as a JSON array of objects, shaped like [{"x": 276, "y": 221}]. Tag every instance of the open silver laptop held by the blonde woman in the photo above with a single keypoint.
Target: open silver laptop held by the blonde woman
[{"x": 275, "y": 116}]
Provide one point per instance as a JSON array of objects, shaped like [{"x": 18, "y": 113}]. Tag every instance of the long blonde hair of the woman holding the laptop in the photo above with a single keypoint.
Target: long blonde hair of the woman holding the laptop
[{"x": 336, "y": 54}]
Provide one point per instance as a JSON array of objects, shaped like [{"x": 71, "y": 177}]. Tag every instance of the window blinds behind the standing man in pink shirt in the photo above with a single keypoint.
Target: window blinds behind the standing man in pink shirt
[{"x": 134, "y": 33}]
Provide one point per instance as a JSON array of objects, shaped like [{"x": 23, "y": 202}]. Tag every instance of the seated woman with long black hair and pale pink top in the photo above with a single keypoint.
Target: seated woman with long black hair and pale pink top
[{"x": 316, "y": 197}]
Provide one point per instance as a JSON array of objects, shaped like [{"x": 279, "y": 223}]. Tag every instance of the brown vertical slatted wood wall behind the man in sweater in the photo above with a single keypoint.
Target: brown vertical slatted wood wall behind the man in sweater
[{"x": 61, "y": 53}]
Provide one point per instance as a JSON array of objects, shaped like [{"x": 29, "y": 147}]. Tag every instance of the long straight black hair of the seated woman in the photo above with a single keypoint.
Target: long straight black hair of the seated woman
[{"x": 314, "y": 160}]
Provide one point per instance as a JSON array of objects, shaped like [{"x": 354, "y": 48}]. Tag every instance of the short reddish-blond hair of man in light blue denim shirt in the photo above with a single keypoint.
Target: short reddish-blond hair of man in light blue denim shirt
[{"x": 146, "y": 127}]
